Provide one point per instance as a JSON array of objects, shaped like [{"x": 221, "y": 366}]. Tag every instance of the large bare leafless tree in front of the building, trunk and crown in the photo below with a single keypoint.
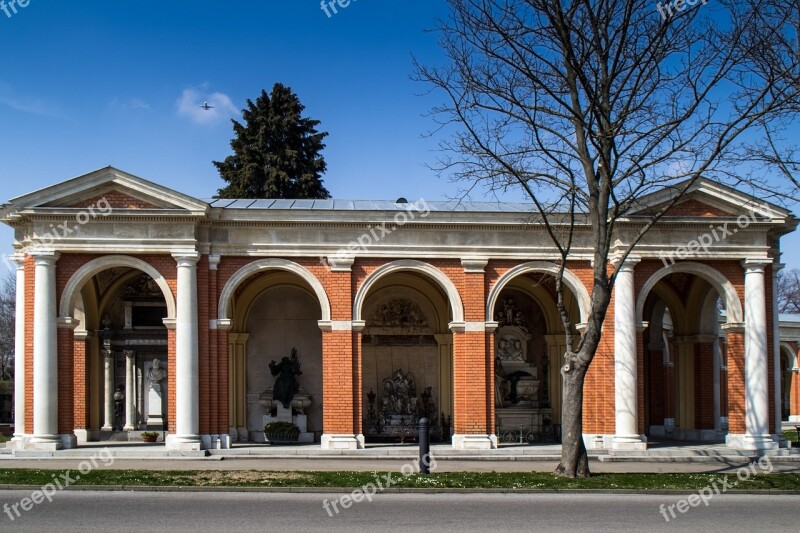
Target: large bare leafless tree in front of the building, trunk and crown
[{"x": 588, "y": 105}]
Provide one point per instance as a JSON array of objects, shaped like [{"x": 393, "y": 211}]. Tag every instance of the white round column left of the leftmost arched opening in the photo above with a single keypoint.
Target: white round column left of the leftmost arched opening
[{"x": 45, "y": 353}]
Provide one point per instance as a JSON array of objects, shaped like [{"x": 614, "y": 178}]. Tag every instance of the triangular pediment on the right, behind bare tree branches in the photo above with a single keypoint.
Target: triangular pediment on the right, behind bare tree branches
[{"x": 707, "y": 199}]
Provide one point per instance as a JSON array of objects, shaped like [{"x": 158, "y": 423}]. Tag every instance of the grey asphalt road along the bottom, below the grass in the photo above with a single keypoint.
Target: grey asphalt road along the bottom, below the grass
[{"x": 389, "y": 513}]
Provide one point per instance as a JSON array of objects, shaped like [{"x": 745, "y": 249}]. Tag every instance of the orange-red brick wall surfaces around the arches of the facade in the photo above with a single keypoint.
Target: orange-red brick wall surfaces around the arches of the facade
[{"x": 472, "y": 351}]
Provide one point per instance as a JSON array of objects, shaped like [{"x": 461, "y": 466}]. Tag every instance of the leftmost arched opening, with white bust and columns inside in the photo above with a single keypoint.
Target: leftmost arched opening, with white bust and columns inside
[{"x": 122, "y": 383}]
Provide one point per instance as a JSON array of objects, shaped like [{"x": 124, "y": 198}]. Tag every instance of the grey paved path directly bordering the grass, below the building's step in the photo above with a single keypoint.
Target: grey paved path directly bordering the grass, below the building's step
[{"x": 380, "y": 465}]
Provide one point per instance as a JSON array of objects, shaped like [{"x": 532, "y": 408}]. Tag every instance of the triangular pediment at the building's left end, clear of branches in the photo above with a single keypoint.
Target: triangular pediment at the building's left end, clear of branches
[{"x": 118, "y": 189}]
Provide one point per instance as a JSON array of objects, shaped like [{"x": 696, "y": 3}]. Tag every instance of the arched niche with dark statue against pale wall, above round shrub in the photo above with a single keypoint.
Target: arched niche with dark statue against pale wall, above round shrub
[{"x": 275, "y": 314}]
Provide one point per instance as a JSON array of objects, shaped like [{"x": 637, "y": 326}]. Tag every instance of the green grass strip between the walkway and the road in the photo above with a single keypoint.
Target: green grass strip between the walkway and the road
[{"x": 338, "y": 480}]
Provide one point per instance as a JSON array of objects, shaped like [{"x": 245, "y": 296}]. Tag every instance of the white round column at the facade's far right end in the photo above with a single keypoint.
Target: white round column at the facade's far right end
[{"x": 756, "y": 375}]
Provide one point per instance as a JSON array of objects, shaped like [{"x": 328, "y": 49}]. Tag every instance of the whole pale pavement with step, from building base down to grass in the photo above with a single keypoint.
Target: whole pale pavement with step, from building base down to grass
[{"x": 542, "y": 458}]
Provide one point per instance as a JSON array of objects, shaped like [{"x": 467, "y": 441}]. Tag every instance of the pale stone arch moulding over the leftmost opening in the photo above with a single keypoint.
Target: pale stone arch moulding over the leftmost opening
[{"x": 92, "y": 268}]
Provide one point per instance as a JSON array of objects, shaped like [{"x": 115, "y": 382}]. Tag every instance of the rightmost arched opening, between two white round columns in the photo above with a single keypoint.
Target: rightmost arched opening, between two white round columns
[{"x": 685, "y": 374}]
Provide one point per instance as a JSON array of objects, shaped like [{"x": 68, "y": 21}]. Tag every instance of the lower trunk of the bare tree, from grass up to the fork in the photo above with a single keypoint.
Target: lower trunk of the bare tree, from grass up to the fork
[{"x": 574, "y": 458}]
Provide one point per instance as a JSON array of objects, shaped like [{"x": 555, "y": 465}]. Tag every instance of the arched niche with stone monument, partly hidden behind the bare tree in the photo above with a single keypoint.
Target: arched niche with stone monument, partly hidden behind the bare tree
[{"x": 528, "y": 346}]
